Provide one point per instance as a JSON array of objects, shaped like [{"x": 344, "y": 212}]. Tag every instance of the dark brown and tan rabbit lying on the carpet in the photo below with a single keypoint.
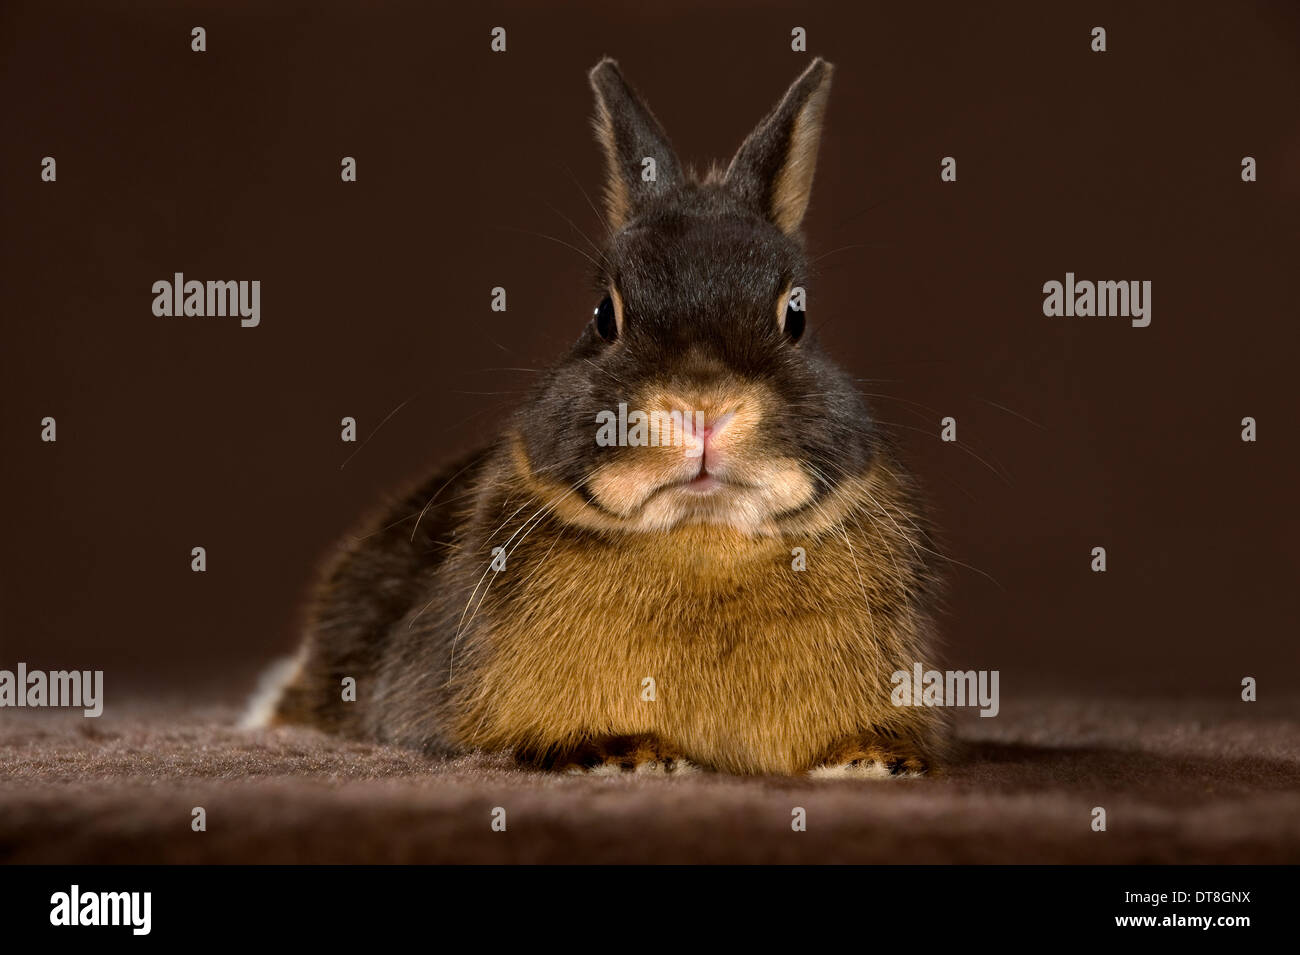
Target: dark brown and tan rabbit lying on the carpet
[{"x": 638, "y": 607}]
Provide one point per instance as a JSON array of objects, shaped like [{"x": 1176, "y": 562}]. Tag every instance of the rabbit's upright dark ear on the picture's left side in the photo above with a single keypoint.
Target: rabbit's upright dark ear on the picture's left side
[{"x": 630, "y": 136}]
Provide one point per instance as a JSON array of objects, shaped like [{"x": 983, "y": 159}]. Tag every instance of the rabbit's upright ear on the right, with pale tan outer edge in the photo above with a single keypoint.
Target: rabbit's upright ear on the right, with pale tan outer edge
[{"x": 774, "y": 167}]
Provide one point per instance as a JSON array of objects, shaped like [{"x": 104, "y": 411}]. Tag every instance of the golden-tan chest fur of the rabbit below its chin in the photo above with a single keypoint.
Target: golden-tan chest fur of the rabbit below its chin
[{"x": 704, "y": 637}]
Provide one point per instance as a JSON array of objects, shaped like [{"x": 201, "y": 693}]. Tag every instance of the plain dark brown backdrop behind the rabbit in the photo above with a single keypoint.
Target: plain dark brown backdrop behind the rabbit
[{"x": 224, "y": 166}]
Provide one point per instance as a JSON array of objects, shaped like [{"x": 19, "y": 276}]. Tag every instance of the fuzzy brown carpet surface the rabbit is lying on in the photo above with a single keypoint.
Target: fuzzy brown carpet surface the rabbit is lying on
[{"x": 1181, "y": 782}]
